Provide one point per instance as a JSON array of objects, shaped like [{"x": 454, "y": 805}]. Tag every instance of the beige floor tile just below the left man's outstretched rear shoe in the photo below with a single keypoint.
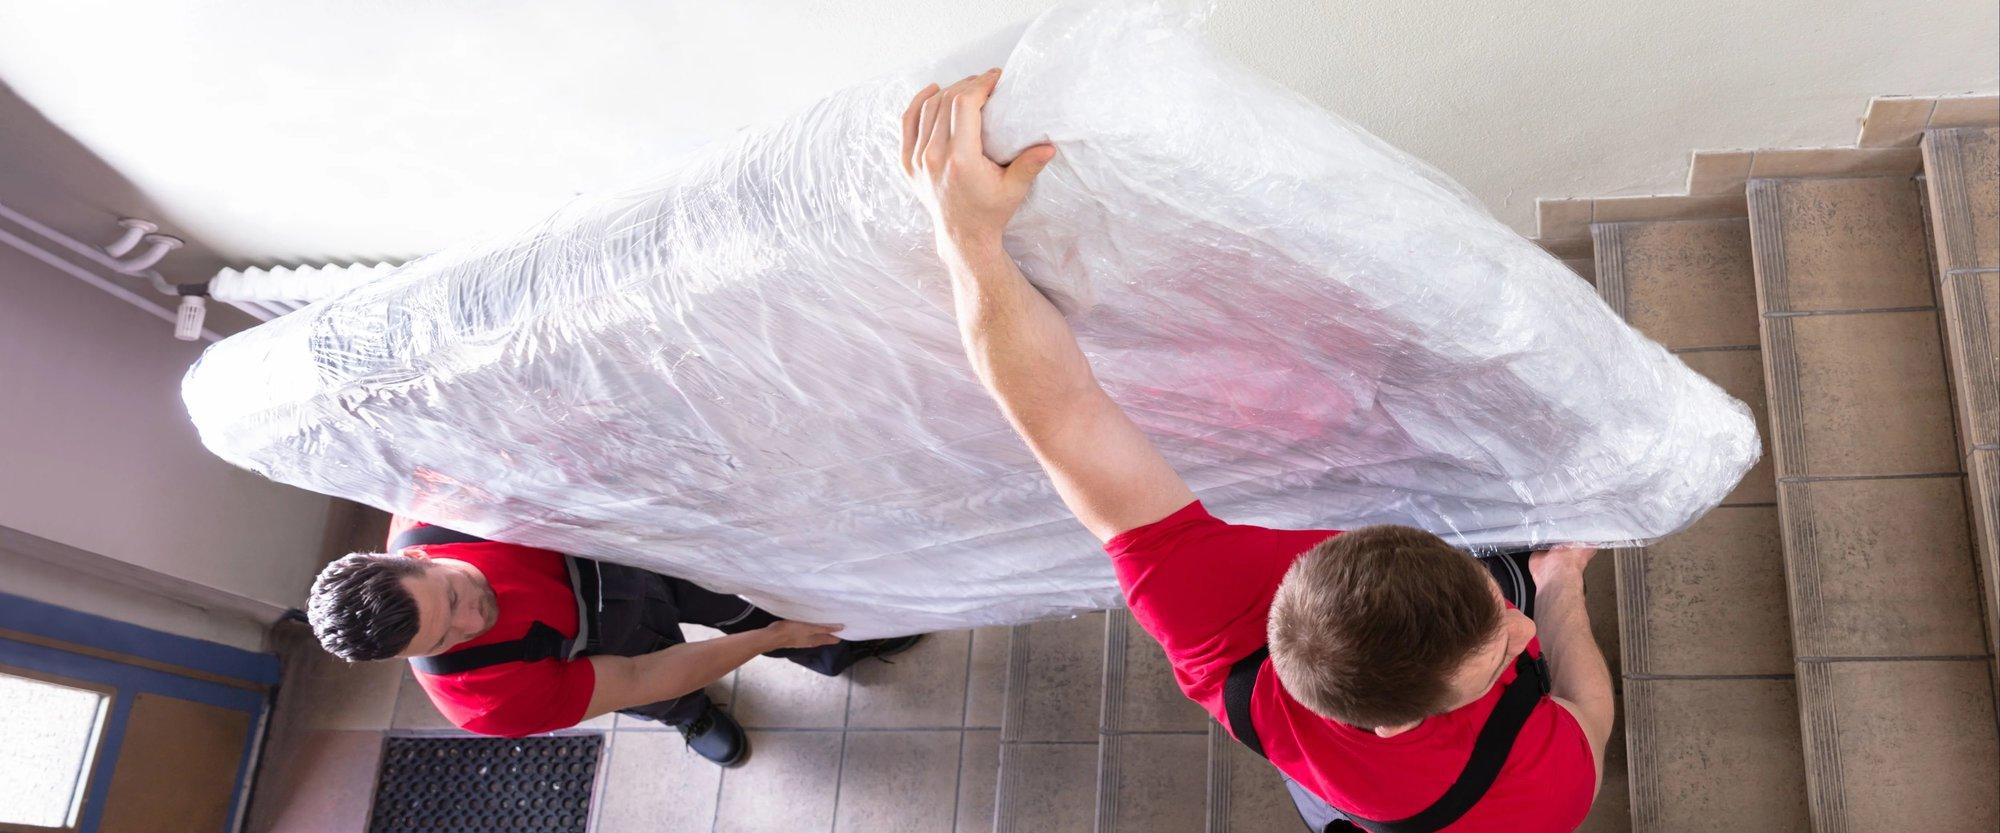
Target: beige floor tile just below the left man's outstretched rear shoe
[{"x": 923, "y": 688}]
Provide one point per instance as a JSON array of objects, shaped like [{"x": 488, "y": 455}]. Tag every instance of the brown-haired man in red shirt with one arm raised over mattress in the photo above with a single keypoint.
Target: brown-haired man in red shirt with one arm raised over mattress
[{"x": 1389, "y": 652}]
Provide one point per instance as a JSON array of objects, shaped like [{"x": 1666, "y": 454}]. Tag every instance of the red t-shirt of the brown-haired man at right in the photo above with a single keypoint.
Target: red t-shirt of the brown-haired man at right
[{"x": 1203, "y": 588}]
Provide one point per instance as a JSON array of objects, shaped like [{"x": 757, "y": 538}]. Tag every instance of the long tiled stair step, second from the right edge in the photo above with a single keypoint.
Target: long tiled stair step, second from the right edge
[{"x": 1871, "y": 508}]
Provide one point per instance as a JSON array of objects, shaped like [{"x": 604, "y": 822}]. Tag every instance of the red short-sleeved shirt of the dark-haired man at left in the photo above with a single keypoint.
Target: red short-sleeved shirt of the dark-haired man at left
[{"x": 513, "y": 700}]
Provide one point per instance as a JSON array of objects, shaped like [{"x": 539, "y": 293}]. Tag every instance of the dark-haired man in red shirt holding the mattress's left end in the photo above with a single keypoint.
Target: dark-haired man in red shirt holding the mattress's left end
[{"x": 519, "y": 642}]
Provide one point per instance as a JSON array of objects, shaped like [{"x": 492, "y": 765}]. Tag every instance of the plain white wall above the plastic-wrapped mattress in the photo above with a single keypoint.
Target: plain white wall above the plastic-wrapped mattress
[{"x": 373, "y": 129}]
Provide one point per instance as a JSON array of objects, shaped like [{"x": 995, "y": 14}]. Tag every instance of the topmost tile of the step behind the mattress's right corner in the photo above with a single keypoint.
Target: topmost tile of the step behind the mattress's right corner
[{"x": 1689, "y": 283}]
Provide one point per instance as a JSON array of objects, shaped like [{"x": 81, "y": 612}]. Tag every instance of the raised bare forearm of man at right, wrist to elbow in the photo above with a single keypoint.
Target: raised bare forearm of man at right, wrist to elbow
[{"x": 1019, "y": 343}]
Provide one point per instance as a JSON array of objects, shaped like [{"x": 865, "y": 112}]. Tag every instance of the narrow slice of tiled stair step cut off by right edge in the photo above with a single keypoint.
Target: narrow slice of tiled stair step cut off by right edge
[{"x": 1963, "y": 181}]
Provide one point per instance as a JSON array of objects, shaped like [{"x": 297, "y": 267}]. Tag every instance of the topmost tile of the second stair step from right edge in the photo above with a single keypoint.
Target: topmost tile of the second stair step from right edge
[{"x": 1847, "y": 243}]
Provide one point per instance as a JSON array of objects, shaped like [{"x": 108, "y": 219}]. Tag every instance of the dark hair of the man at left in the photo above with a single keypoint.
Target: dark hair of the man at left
[{"x": 361, "y": 610}]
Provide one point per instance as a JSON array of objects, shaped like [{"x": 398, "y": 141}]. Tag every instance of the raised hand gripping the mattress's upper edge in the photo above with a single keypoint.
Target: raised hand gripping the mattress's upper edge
[{"x": 971, "y": 197}]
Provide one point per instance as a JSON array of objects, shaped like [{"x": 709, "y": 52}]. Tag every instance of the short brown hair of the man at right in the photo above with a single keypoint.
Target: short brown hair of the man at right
[{"x": 1369, "y": 626}]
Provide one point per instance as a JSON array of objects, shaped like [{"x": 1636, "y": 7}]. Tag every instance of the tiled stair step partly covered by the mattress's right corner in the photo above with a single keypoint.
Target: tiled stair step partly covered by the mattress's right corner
[{"x": 1703, "y": 616}]
